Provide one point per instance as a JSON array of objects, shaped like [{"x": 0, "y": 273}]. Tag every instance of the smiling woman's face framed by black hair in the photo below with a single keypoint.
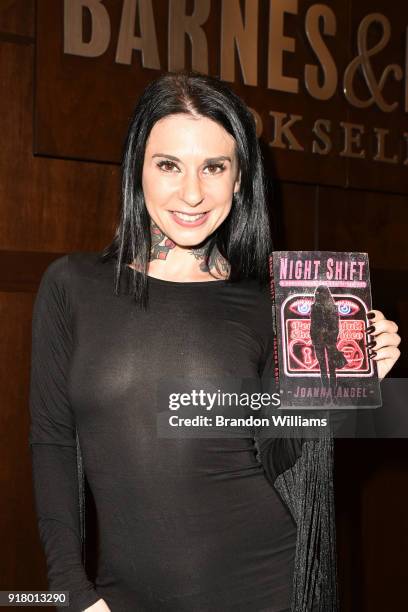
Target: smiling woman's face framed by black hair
[{"x": 190, "y": 174}]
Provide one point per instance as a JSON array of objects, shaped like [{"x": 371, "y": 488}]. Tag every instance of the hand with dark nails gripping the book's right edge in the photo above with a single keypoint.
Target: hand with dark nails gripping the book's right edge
[{"x": 386, "y": 343}]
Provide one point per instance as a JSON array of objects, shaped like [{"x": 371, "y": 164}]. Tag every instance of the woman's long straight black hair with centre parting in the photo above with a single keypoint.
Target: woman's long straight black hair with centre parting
[{"x": 243, "y": 238}]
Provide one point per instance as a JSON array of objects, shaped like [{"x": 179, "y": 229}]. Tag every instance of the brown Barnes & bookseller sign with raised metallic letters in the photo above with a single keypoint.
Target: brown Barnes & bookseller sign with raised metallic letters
[{"x": 317, "y": 85}]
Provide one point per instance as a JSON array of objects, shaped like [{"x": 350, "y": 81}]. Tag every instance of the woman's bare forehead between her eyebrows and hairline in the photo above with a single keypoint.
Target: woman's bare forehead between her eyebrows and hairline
[{"x": 192, "y": 135}]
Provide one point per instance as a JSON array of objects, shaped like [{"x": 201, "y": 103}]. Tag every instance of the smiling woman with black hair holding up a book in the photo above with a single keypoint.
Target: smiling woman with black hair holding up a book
[{"x": 185, "y": 523}]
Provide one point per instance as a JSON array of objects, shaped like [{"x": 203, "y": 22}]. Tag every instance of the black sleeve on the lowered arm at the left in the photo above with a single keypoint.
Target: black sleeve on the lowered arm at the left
[{"x": 52, "y": 439}]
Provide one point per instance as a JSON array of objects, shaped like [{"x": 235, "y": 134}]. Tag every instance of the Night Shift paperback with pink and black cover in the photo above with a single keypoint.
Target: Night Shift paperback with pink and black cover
[{"x": 320, "y": 301}]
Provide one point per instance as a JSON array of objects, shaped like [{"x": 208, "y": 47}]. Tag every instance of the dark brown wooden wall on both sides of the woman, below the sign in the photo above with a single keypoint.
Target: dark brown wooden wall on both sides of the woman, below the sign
[{"x": 51, "y": 206}]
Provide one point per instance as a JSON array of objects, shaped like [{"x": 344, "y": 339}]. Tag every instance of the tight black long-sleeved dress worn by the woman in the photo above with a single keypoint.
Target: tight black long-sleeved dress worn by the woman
[{"x": 184, "y": 523}]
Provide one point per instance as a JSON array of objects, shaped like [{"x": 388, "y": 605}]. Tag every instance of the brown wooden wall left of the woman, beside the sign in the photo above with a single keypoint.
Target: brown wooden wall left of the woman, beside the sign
[{"x": 47, "y": 207}]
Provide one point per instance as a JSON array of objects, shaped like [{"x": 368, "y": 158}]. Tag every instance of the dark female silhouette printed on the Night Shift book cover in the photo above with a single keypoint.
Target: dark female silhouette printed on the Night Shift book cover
[{"x": 324, "y": 330}]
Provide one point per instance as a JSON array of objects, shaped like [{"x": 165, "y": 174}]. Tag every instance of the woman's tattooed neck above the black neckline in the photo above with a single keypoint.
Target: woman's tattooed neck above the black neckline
[{"x": 169, "y": 261}]
